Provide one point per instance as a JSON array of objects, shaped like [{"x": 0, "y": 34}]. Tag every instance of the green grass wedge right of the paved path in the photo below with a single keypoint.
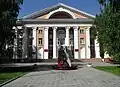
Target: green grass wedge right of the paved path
[{"x": 112, "y": 69}]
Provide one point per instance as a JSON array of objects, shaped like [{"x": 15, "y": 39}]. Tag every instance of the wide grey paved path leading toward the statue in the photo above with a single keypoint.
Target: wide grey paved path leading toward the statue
[{"x": 83, "y": 77}]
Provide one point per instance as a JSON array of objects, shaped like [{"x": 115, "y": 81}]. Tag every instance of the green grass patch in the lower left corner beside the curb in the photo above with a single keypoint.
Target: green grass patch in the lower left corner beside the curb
[{"x": 7, "y": 76}]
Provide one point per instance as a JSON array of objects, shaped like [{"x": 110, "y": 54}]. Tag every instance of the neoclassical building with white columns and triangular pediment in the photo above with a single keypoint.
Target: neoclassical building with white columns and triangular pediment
[{"x": 45, "y": 30}]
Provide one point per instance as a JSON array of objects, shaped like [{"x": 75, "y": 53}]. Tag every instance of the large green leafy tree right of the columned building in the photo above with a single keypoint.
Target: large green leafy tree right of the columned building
[{"x": 108, "y": 27}]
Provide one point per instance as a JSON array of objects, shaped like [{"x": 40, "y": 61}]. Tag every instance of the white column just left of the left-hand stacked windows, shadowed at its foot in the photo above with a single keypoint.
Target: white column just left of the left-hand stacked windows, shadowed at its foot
[{"x": 34, "y": 42}]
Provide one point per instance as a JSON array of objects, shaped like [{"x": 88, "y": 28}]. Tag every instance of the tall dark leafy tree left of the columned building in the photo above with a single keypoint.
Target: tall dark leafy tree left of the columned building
[{"x": 9, "y": 10}]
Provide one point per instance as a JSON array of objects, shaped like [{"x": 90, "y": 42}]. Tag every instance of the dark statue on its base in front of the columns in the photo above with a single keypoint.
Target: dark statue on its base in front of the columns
[{"x": 64, "y": 55}]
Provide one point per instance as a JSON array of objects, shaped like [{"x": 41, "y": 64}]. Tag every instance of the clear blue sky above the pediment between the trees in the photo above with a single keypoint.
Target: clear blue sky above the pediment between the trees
[{"x": 30, "y": 6}]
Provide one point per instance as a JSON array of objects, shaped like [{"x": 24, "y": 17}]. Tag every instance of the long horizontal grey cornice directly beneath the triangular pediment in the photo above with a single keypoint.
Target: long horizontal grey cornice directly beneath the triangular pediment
[{"x": 55, "y": 21}]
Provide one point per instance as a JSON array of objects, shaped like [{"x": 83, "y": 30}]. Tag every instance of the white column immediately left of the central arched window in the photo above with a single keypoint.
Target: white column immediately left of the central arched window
[{"x": 54, "y": 42}]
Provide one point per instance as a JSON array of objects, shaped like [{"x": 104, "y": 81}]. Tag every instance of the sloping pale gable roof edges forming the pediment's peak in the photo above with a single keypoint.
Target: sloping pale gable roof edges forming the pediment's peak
[{"x": 49, "y": 9}]
